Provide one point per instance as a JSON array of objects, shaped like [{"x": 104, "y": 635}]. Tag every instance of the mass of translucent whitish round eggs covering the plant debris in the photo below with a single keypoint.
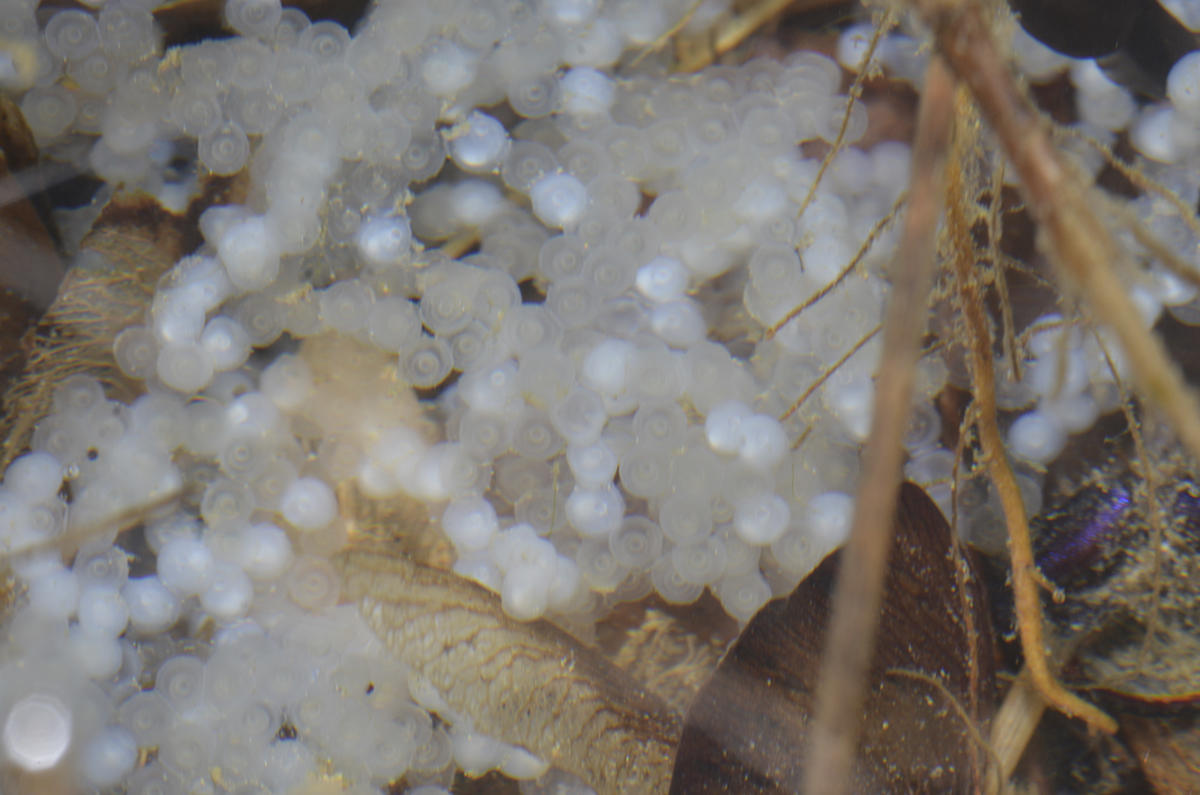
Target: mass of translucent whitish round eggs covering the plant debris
[{"x": 610, "y": 419}]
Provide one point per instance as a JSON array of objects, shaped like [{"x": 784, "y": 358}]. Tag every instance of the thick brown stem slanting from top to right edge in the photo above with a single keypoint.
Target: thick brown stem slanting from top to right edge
[{"x": 1075, "y": 237}]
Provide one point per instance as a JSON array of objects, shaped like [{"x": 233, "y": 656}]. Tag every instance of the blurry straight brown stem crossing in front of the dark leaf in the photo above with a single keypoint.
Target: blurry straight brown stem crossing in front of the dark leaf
[{"x": 842, "y": 685}]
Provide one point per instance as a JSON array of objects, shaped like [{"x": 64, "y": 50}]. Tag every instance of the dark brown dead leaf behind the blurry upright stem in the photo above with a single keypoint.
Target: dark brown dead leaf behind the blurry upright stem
[{"x": 932, "y": 680}]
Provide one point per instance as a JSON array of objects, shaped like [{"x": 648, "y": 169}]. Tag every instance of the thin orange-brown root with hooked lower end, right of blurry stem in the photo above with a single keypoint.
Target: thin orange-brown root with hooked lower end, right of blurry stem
[{"x": 1025, "y": 577}]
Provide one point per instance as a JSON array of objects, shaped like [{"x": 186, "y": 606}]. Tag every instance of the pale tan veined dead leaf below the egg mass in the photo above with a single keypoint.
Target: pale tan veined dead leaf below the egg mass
[{"x": 526, "y": 684}]
